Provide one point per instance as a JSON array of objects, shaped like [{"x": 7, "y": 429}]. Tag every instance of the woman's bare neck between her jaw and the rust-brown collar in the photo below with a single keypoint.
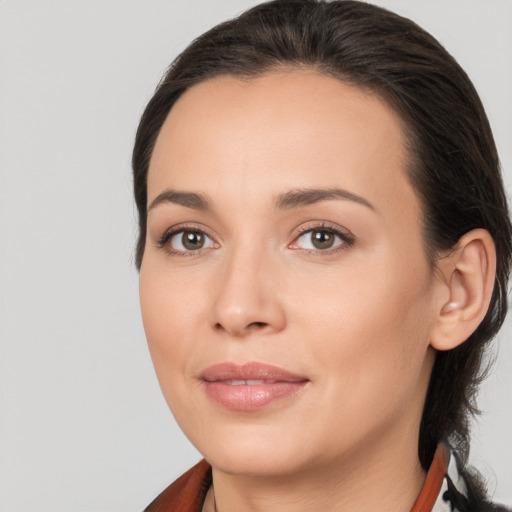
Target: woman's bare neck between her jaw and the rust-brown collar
[{"x": 377, "y": 477}]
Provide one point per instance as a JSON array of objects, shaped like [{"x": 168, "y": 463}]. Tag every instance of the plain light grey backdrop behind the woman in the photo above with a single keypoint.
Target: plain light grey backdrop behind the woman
[{"x": 83, "y": 426}]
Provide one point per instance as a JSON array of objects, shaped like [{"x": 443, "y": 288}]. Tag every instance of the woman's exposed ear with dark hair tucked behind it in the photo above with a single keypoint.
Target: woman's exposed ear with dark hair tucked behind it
[{"x": 466, "y": 280}]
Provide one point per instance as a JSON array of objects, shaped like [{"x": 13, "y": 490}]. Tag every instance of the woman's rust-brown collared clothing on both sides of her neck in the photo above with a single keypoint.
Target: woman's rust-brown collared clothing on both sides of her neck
[{"x": 443, "y": 491}]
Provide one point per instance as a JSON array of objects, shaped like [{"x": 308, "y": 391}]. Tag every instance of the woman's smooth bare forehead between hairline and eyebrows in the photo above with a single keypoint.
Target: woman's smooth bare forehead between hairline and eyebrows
[{"x": 280, "y": 130}]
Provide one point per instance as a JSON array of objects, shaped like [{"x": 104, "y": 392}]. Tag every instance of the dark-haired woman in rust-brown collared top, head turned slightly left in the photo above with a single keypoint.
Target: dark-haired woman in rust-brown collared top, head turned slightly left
[{"x": 324, "y": 251}]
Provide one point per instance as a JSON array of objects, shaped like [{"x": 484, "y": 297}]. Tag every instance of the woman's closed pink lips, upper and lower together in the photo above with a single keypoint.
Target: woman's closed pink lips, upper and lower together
[{"x": 250, "y": 386}]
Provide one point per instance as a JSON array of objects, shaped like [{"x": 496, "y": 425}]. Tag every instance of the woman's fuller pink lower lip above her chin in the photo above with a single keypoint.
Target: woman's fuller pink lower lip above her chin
[{"x": 250, "y": 397}]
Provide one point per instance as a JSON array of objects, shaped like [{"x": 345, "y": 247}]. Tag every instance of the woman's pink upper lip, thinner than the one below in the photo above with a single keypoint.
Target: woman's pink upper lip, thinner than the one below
[{"x": 248, "y": 371}]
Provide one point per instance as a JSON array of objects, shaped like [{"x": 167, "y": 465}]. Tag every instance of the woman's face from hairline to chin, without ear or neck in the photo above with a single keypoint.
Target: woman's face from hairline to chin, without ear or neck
[{"x": 285, "y": 292}]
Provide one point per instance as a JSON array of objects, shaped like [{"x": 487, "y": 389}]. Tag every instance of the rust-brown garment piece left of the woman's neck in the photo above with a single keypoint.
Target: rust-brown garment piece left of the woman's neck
[{"x": 187, "y": 493}]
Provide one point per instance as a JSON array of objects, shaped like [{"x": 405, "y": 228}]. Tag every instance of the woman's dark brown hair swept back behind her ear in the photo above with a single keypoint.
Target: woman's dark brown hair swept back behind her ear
[{"x": 454, "y": 166}]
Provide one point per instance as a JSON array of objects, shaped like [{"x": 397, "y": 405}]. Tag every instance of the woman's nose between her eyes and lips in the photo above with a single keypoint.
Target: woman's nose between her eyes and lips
[{"x": 246, "y": 299}]
